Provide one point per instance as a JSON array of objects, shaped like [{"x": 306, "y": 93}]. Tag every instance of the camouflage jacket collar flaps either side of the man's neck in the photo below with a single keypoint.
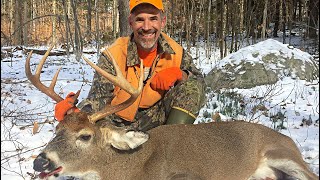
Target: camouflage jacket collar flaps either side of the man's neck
[{"x": 132, "y": 52}]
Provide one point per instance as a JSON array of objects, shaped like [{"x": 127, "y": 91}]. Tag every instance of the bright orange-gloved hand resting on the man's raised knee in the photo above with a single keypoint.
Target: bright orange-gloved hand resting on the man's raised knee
[{"x": 166, "y": 78}]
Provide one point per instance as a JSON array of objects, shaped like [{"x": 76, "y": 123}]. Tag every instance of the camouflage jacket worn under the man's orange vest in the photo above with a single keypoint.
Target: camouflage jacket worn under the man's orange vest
[{"x": 101, "y": 92}]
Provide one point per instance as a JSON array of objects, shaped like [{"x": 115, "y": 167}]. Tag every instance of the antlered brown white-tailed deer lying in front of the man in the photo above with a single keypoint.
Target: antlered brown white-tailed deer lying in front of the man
[{"x": 91, "y": 149}]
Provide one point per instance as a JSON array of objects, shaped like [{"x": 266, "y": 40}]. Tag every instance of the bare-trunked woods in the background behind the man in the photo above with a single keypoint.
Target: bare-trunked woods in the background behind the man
[{"x": 226, "y": 24}]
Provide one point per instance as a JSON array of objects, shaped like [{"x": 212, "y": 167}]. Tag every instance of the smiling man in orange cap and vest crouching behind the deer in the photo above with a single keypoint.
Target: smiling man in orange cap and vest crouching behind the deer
[{"x": 173, "y": 87}]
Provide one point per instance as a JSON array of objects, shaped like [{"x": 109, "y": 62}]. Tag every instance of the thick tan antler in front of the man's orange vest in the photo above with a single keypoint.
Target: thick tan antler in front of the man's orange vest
[{"x": 118, "y": 80}]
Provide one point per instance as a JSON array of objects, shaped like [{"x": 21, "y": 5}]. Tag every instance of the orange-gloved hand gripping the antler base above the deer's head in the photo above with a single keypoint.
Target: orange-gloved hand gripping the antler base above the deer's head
[{"x": 65, "y": 107}]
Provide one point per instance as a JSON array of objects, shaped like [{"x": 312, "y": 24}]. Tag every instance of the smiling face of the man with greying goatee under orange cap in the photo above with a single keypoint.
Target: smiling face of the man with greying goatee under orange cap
[{"x": 146, "y": 22}]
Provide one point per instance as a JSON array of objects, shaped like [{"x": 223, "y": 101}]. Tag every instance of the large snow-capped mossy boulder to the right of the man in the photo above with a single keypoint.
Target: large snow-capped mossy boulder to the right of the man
[{"x": 262, "y": 64}]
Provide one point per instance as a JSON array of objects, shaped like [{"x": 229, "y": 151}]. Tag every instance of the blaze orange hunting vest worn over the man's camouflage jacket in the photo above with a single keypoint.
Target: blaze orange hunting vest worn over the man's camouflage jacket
[{"x": 148, "y": 96}]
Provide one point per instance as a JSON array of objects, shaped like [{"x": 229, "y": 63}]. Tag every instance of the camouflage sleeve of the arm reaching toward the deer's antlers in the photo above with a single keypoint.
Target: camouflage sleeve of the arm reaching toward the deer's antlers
[{"x": 101, "y": 92}]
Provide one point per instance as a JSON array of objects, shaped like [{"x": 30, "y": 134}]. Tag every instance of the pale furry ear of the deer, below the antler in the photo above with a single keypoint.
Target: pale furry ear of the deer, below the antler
[{"x": 128, "y": 140}]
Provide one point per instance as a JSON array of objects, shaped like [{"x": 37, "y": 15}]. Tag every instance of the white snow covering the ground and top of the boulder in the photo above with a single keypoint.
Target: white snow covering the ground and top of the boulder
[{"x": 22, "y": 104}]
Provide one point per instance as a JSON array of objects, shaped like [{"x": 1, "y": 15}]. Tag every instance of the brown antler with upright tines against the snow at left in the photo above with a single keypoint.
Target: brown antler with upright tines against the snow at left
[{"x": 35, "y": 79}]
